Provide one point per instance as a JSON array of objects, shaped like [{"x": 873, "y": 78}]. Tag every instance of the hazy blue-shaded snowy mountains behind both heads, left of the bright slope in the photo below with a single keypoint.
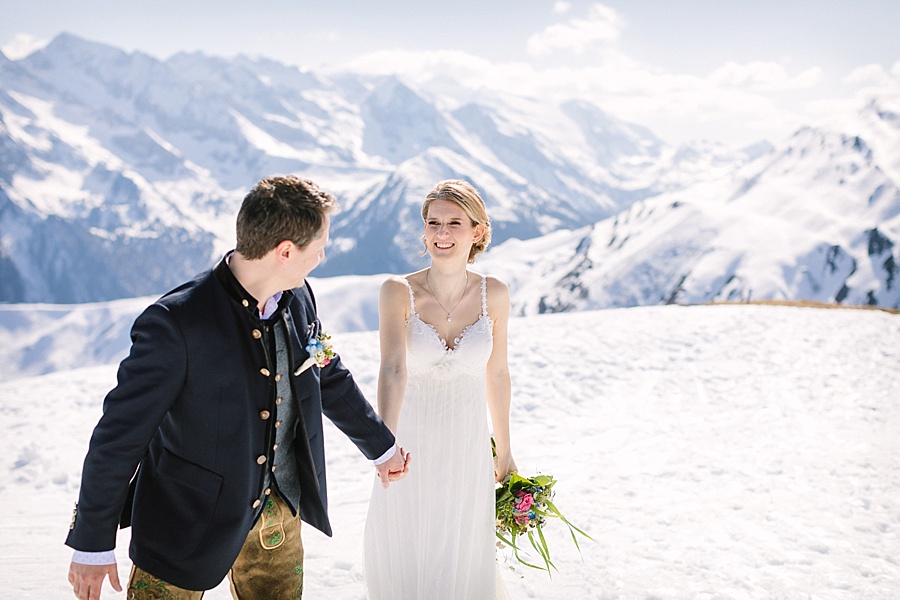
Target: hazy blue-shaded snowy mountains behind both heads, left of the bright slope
[{"x": 121, "y": 174}]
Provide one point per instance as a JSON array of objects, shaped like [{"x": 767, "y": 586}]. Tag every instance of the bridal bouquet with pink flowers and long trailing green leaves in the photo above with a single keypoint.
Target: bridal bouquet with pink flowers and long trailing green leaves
[{"x": 523, "y": 506}]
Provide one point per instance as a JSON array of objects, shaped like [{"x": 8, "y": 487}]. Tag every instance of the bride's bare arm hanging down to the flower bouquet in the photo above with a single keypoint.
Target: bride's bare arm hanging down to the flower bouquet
[{"x": 499, "y": 387}]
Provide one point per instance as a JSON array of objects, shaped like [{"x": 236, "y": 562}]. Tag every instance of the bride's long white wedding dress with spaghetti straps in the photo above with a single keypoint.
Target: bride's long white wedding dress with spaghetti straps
[{"x": 430, "y": 536}]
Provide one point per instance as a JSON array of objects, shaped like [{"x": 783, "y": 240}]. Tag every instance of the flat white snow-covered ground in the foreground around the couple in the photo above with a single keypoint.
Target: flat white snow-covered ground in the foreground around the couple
[{"x": 714, "y": 452}]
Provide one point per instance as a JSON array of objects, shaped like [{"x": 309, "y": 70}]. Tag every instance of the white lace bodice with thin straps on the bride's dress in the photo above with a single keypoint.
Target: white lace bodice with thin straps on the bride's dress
[{"x": 428, "y": 355}]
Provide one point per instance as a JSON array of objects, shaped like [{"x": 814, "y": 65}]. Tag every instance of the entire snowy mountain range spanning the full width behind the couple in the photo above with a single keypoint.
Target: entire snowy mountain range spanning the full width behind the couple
[{"x": 120, "y": 176}]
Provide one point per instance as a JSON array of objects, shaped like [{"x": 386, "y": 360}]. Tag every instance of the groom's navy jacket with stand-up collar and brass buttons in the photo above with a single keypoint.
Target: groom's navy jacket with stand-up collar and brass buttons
[{"x": 189, "y": 414}]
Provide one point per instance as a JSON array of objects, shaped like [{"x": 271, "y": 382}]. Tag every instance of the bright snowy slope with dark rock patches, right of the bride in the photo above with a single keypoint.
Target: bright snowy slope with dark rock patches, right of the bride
[{"x": 816, "y": 219}]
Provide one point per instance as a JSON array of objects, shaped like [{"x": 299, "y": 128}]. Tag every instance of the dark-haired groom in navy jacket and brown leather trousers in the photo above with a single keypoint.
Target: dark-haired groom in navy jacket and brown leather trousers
[{"x": 211, "y": 445}]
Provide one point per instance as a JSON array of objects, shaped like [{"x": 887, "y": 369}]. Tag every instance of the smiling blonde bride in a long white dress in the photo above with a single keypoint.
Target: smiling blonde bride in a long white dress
[{"x": 443, "y": 336}]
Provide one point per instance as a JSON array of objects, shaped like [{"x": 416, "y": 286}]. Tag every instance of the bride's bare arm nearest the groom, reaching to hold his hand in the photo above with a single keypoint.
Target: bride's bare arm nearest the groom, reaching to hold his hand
[{"x": 393, "y": 312}]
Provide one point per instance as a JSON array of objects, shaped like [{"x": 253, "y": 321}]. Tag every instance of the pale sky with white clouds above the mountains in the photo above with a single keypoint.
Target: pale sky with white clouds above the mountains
[{"x": 726, "y": 70}]
